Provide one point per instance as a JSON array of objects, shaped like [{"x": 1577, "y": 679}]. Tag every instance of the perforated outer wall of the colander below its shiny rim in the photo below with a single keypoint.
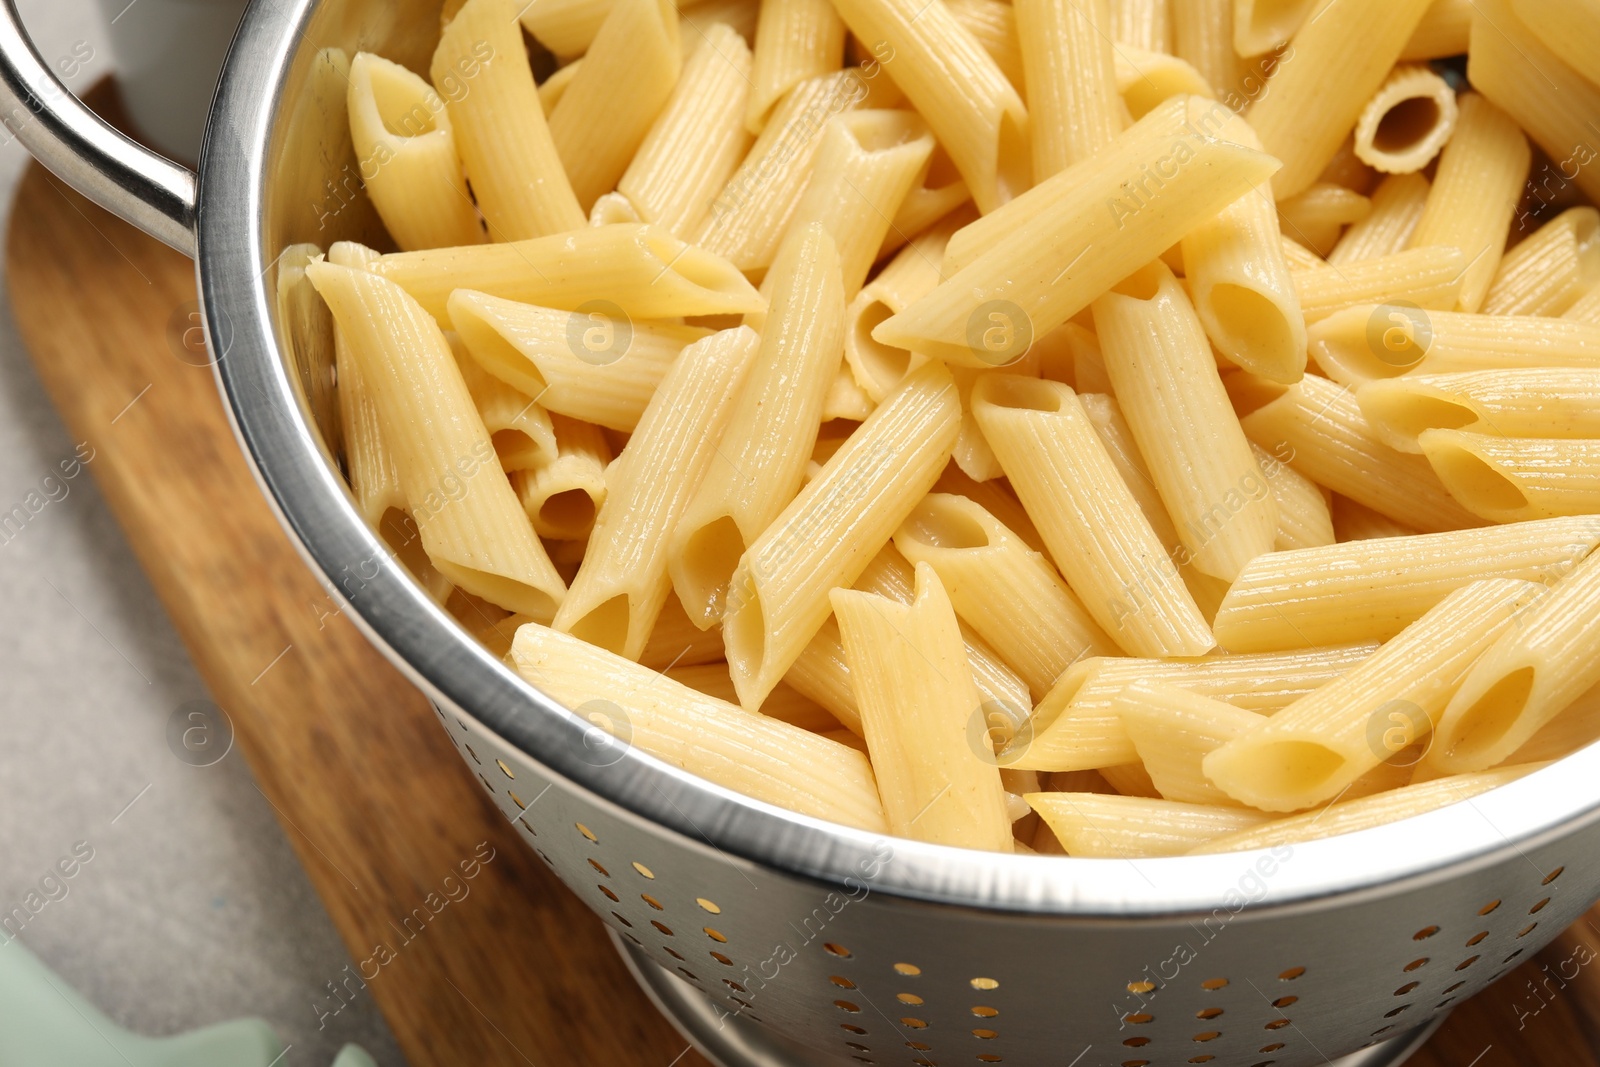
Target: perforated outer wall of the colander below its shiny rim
[{"x": 871, "y": 978}]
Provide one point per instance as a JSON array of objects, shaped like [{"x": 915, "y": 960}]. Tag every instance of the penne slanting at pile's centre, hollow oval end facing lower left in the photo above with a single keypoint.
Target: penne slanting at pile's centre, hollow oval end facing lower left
[{"x": 778, "y": 594}]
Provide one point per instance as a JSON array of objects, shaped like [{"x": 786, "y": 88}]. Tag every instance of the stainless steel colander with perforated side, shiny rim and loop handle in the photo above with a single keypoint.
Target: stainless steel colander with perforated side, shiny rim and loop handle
[{"x": 774, "y": 938}]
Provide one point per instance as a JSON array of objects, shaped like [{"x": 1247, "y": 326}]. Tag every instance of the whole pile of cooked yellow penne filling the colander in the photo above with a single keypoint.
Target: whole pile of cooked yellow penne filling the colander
[{"x": 1111, "y": 428}]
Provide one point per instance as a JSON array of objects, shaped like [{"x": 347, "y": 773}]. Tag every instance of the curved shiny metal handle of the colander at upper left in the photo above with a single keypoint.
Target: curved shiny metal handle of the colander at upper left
[{"x": 82, "y": 150}]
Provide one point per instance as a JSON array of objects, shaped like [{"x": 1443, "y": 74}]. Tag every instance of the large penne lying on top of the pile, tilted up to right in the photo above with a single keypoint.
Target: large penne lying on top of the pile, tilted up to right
[{"x": 1150, "y": 188}]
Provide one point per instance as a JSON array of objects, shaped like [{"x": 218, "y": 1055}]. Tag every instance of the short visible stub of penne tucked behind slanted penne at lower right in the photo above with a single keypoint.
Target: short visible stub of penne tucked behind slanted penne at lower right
[{"x": 1174, "y": 730}]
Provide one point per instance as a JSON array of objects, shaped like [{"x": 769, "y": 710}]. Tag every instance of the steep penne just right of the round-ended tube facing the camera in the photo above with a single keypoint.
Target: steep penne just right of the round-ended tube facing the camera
[{"x": 1476, "y": 191}]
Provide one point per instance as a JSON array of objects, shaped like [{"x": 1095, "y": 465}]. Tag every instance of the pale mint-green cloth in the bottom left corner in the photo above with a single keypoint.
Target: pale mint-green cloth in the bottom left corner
[{"x": 46, "y": 1023}]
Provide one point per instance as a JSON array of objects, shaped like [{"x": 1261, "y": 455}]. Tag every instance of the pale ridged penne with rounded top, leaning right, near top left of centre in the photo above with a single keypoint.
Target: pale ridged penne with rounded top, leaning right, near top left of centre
[{"x": 697, "y": 142}]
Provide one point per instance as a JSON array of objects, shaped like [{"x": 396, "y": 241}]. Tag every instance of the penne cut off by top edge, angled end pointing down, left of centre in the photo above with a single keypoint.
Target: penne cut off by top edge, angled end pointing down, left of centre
[{"x": 626, "y": 79}]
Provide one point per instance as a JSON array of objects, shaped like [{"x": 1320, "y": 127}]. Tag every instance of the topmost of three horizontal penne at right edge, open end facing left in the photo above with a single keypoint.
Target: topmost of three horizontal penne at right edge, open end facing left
[{"x": 1375, "y": 342}]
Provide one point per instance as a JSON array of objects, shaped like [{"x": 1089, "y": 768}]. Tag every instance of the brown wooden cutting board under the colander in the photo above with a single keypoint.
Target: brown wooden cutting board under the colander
[{"x": 369, "y": 791}]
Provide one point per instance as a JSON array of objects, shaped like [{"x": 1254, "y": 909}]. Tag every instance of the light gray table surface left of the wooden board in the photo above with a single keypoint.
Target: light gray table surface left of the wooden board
[{"x": 194, "y": 908}]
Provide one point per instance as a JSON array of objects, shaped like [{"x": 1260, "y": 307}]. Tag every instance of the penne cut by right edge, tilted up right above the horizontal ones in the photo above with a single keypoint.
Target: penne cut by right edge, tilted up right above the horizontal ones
[{"x": 1548, "y": 273}]
